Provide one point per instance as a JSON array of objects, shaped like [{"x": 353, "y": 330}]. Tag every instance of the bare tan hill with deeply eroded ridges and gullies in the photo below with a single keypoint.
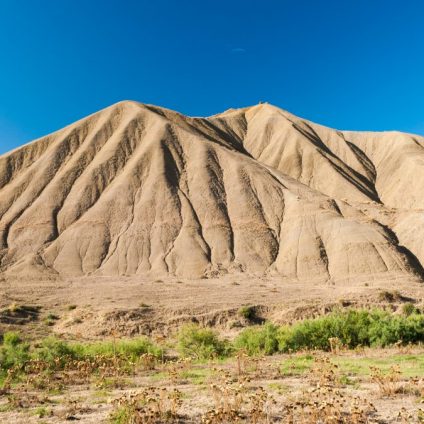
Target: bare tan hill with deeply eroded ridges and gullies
[{"x": 140, "y": 190}]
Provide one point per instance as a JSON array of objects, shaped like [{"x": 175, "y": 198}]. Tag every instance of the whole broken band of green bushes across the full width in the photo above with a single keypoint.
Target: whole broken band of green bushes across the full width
[{"x": 352, "y": 327}]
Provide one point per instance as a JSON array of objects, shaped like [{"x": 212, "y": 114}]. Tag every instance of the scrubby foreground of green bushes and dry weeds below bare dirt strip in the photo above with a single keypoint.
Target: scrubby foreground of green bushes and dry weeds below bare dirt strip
[{"x": 348, "y": 366}]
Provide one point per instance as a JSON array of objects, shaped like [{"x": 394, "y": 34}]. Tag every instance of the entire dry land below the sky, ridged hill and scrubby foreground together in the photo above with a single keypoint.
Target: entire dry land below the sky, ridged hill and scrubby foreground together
[{"x": 247, "y": 267}]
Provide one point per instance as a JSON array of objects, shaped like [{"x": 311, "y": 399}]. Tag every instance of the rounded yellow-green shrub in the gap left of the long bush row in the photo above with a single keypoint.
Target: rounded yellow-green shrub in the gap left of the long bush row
[{"x": 200, "y": 343}]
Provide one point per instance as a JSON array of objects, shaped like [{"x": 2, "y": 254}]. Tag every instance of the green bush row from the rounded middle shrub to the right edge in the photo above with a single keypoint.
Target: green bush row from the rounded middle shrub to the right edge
[{"x": 353, "y": 328}]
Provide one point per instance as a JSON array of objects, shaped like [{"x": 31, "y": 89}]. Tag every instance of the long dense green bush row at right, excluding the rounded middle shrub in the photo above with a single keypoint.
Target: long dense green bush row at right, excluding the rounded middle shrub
[{"x": 353, "y": 328}]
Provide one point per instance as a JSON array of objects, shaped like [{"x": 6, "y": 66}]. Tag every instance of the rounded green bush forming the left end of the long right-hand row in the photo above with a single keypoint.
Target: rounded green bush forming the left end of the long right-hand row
[{"x": 258, "y": 340}]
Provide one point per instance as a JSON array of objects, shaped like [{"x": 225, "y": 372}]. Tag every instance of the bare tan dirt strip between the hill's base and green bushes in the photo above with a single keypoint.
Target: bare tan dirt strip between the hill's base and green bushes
[{"x": 93, "y": 307}]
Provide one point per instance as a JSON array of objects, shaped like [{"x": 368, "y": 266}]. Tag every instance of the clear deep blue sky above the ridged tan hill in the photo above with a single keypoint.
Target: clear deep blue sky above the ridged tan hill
[{"x": 349, "y": 64}]
